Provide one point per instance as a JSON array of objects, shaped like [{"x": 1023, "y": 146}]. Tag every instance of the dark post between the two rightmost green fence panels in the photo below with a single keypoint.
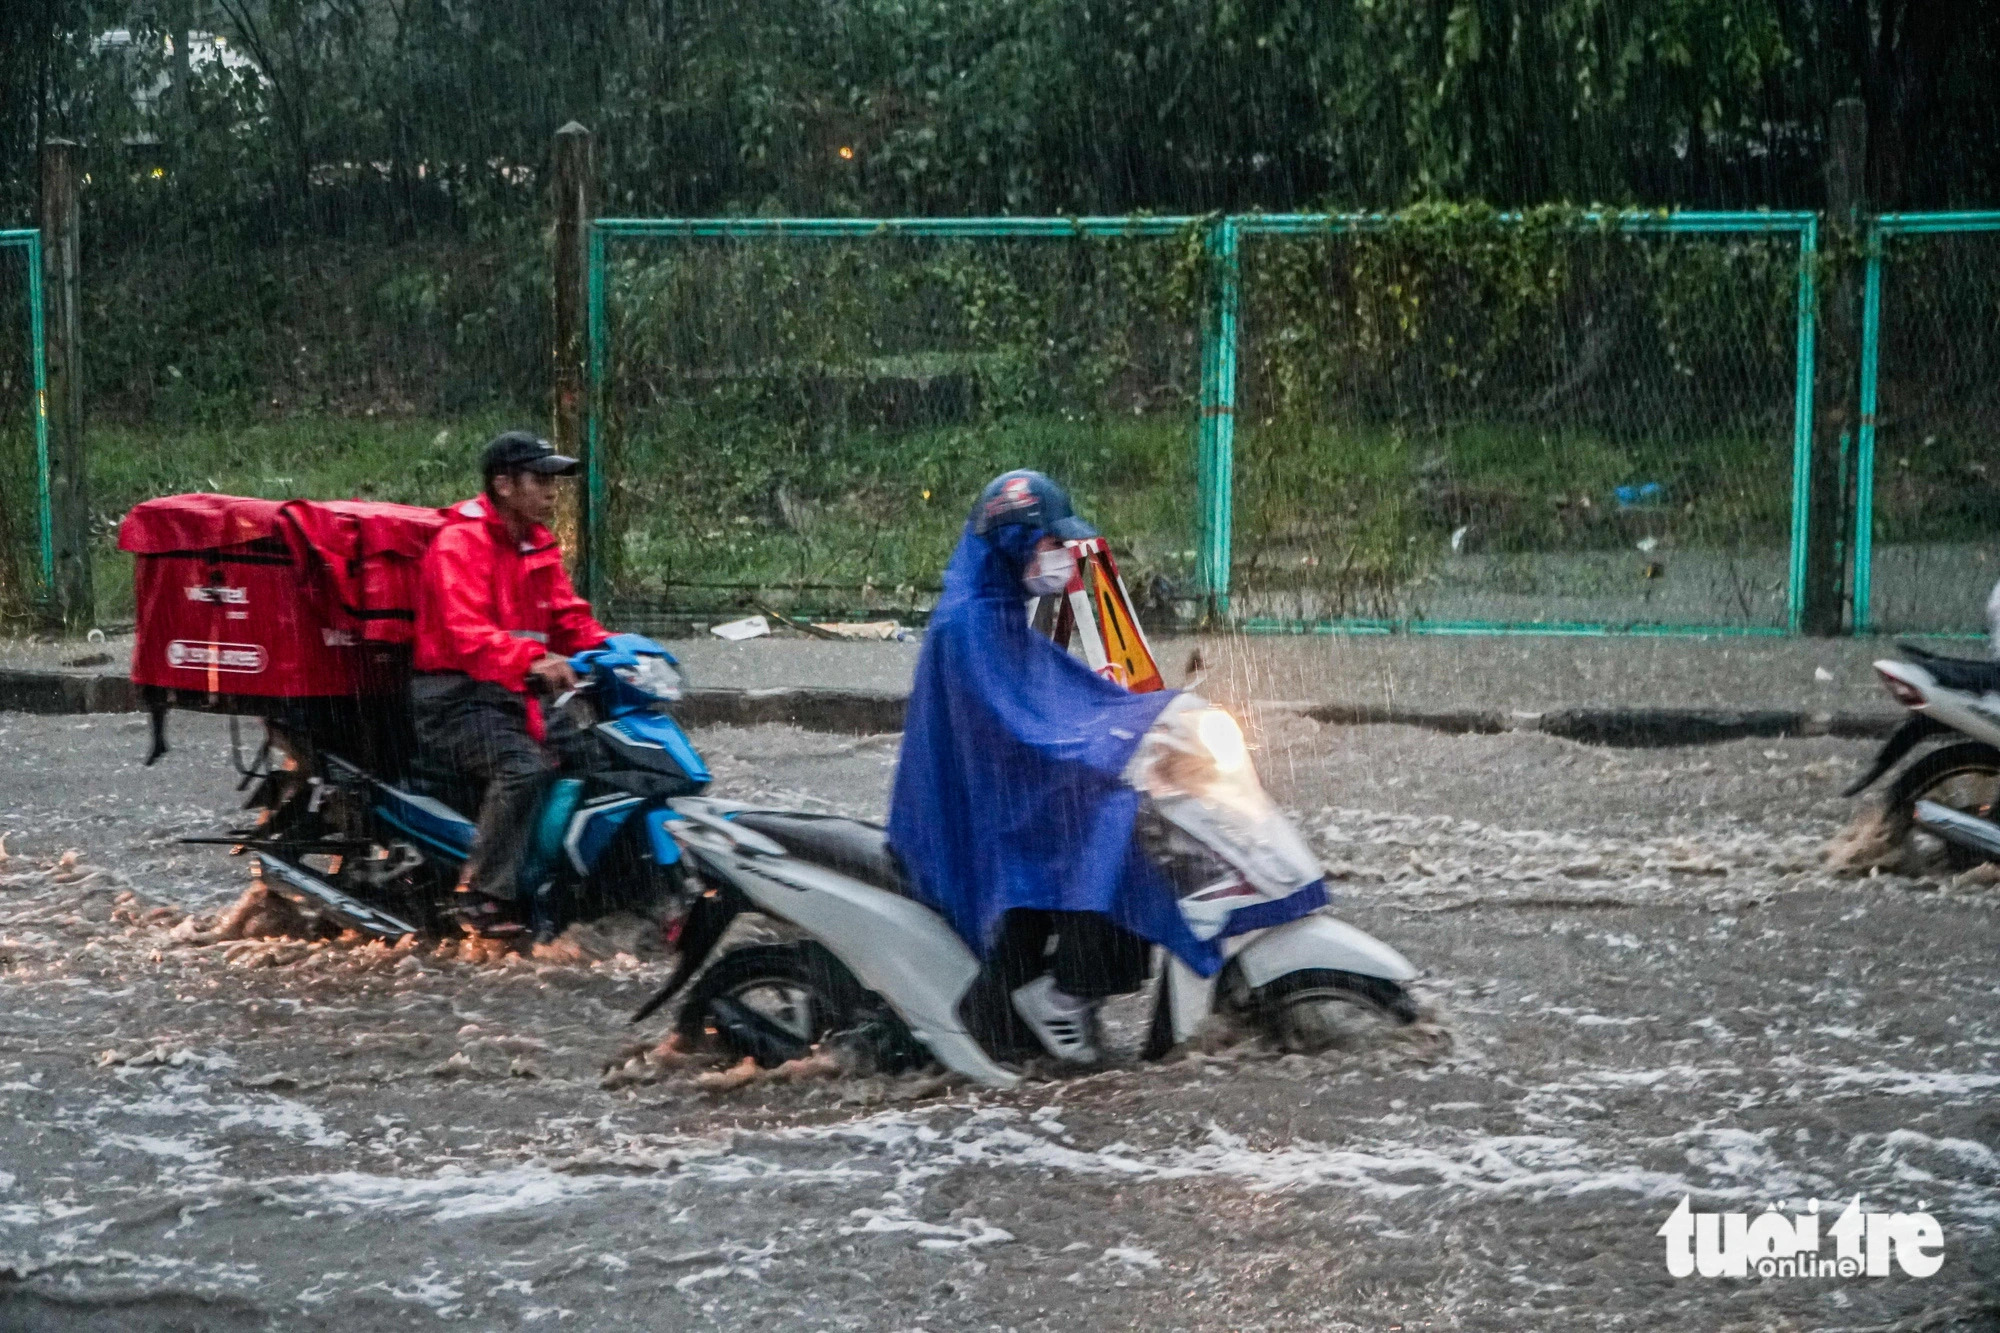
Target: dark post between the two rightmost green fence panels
[{"x": 1837, "y": 379}]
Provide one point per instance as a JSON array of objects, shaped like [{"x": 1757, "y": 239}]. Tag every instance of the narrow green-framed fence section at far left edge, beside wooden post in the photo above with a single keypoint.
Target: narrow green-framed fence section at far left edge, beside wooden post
[{"x": 25, "y": 533}]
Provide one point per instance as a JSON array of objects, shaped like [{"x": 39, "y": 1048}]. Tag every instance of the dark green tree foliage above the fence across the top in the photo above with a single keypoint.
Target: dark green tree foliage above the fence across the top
[{"x": 423, "y": 119}]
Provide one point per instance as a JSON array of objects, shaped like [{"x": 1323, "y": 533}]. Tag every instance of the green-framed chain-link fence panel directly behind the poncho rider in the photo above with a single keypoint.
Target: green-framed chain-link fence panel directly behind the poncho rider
[{"x": 797, "y": 415}]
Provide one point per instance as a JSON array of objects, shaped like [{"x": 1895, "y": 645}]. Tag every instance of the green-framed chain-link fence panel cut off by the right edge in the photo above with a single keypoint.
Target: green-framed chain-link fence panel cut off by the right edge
[{"x": 1927, "y": 539}]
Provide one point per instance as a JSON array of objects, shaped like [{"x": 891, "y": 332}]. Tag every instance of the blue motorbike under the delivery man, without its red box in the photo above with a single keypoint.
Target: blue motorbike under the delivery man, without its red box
[{"x": 351, "y": 832}]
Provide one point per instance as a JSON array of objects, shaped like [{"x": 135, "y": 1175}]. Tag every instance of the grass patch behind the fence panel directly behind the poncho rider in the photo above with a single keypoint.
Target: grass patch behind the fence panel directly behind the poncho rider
[{"x": 719, "y": 517}]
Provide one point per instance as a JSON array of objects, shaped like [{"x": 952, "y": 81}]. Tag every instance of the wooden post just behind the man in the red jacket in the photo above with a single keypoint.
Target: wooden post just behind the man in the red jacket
[{"x": 575, "y": 207}]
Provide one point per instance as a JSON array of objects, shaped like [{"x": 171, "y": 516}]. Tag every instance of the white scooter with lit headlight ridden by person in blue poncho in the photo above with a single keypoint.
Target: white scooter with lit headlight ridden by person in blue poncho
[{"x": 873, "y": 962}]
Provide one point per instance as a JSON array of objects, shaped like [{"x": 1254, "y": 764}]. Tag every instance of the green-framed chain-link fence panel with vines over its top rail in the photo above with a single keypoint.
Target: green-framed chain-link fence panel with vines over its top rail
[{"x": 1451, "y": 421}]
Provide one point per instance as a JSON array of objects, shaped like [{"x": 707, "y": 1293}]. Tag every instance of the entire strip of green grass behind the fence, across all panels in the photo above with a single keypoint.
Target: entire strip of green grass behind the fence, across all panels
[{"x": 717, "y": 513}]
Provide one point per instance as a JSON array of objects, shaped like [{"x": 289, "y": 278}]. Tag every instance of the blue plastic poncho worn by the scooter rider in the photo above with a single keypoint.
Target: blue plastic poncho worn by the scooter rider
[{"x": 1009, "y": 790}]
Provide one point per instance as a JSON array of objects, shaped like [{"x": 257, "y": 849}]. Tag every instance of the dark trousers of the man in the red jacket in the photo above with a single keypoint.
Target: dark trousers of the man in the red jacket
[{"x": 479, "y": 732}]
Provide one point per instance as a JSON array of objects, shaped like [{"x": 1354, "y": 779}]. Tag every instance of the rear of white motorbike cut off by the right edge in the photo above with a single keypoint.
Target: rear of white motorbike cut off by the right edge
[{"x": 1945, "y": 802}]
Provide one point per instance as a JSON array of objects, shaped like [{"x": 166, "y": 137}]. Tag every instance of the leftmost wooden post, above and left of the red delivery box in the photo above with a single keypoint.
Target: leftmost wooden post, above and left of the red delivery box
[{"x": 73, "y": 599}]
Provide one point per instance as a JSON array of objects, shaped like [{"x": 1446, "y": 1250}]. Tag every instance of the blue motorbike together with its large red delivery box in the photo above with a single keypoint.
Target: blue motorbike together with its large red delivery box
[{"x": 301, "y": 615}]
